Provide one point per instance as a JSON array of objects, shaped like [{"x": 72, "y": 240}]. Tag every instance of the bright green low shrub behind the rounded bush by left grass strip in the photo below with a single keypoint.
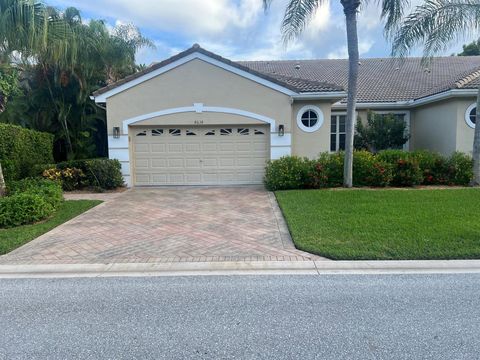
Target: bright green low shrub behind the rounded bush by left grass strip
[{"x": 48, "y": 190}]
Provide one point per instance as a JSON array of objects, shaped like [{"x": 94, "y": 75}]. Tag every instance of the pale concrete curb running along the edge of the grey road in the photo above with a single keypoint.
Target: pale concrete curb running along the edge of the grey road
[{"x": 240, "y": 268}]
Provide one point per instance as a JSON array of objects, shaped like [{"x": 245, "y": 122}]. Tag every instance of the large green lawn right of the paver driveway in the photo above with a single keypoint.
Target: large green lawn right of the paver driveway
[{"x": 385, "y": 224}]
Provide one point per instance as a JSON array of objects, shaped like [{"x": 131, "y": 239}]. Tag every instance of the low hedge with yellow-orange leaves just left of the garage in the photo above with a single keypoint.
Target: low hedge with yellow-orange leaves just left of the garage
[{"x": 102, "y": 174}]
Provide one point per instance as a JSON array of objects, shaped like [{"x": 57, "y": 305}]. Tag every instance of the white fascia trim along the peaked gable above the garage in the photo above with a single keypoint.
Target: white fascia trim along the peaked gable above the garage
[{"x": 103, "y": 97}]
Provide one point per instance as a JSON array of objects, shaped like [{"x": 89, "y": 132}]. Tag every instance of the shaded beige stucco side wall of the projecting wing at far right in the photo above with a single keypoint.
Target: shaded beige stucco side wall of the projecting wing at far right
[{"x": 434, "y": 127}]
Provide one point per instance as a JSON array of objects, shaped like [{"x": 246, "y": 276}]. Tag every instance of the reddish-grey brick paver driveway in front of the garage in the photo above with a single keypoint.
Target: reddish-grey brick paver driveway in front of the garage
[{"x": 169, "y": 224}]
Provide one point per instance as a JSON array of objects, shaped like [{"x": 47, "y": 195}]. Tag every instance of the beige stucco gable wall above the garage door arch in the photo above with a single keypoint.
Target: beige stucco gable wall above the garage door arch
[{"x": 198, "y": 82}]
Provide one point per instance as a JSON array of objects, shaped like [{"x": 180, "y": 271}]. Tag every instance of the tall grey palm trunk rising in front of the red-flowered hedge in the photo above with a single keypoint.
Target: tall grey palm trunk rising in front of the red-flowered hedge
[{"x": 350, "y": 8}]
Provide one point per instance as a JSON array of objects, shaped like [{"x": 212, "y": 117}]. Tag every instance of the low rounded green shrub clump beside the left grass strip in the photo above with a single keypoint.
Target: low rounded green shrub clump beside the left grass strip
[{"x": 29, "y": 201}]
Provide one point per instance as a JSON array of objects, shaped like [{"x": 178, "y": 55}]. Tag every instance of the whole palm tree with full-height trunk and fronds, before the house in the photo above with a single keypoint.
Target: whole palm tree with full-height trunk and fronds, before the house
[{"x": 297, "y": 16}]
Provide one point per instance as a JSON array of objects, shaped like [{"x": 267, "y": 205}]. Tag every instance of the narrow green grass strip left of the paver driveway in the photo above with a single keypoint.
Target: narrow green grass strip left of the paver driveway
[{"x": 13, "y": 238}]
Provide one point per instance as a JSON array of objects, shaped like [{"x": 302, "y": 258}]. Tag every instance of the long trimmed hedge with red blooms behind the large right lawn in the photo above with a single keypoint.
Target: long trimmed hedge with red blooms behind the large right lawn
[{"x": 387, "y": 168}]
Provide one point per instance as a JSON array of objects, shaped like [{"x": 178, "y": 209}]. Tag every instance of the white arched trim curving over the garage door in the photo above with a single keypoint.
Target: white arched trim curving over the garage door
[{"x": 215, "y": 109}]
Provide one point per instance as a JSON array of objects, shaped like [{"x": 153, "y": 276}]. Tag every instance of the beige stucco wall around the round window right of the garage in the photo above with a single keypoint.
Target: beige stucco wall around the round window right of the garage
[{"x": 311, "y": 144}]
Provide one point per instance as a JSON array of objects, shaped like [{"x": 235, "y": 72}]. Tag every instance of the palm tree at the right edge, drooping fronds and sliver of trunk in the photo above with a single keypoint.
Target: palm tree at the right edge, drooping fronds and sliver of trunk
[{"x": 436, "y": 24}]
